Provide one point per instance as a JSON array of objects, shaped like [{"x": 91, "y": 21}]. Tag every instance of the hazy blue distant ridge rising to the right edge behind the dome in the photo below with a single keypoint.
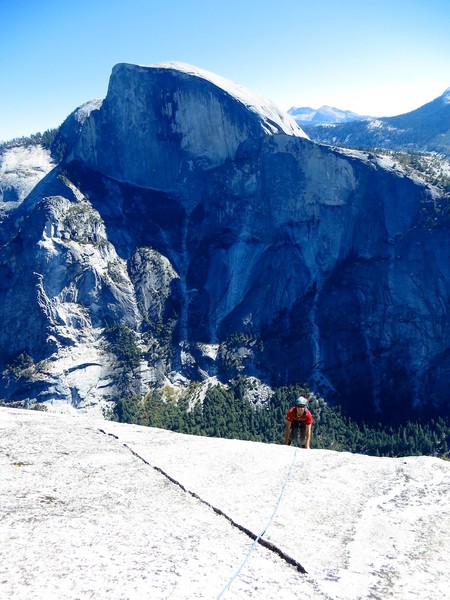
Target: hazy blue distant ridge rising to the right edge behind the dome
[{"x": 425, "y": 129}]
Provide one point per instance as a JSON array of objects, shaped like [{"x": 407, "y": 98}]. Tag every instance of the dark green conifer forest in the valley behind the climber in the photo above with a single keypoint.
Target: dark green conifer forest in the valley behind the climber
[{"x": 226, "y": 413}]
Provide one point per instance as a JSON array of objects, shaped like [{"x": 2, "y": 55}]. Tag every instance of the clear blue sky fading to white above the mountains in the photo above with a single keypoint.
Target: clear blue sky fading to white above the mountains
[{"x": 382, "y": 57}]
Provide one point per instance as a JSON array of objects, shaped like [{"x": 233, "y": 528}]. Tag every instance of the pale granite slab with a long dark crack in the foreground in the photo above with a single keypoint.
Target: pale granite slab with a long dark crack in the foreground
[{"x": 142, "y": 512}]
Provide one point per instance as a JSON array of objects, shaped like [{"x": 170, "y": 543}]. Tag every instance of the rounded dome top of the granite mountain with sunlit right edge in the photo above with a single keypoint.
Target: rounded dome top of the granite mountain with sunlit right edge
[{"x": 170, "y": 112}]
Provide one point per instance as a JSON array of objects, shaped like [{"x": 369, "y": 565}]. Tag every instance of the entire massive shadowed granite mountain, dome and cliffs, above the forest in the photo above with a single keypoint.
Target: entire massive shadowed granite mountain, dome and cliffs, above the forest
[{"x": 207, "y": 222}]
